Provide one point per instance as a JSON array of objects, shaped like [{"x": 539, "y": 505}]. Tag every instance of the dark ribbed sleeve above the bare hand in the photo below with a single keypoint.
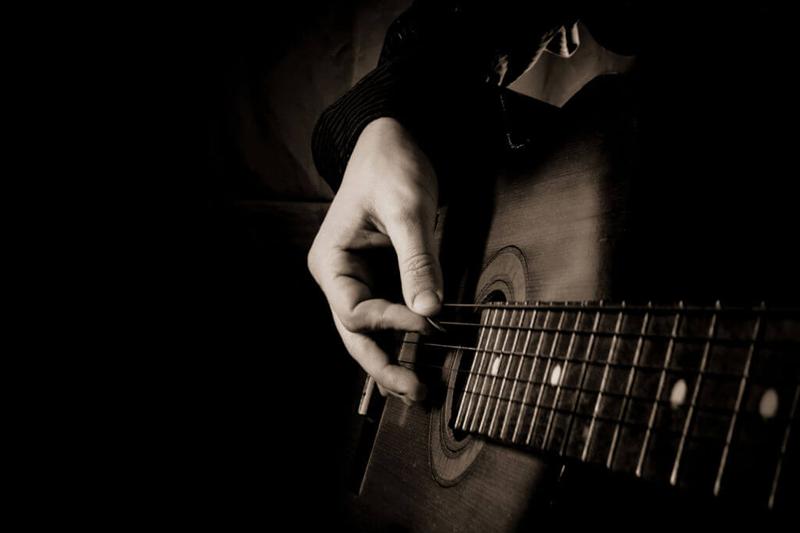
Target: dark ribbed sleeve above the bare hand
[{"x": 440, "y": 65}]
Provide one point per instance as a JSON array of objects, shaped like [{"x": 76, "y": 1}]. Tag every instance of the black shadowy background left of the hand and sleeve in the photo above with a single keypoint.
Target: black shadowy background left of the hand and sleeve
[{"x": 170, "y": 363}]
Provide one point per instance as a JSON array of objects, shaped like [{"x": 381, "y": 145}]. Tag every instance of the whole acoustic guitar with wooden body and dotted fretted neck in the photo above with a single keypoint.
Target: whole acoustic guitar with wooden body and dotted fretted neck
[{"x": 587, "y": 376}]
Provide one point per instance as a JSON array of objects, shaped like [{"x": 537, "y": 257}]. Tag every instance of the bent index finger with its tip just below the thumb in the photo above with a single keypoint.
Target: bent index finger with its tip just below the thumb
[{"x": 352, "y": 300}]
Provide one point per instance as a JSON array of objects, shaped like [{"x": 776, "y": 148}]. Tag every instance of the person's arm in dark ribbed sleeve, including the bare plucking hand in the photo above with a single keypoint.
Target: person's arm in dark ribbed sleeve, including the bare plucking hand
[{"x": 382, "y": 143}]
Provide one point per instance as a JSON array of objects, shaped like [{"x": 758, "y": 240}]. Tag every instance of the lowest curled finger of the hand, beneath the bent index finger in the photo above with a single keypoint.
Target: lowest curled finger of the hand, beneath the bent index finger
[{"x": 394, "y": 379}]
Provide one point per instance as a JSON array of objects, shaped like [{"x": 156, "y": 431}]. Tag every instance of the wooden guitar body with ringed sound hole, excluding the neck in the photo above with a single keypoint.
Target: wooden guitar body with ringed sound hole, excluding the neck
[{"x": 555, "y": 224}]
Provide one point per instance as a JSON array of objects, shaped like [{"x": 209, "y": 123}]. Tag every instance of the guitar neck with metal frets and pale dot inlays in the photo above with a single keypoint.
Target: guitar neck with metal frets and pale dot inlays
[{"x": 704, "y": 397}]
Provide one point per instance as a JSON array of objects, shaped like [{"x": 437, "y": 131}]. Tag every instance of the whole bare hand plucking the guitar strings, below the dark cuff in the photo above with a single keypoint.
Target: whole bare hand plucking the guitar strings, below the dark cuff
[{"x": 388, "y": 197}]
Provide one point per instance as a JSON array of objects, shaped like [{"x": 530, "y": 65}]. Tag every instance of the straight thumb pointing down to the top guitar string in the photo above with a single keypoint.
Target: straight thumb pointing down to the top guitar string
[{"x": 420, "y": 273}]
